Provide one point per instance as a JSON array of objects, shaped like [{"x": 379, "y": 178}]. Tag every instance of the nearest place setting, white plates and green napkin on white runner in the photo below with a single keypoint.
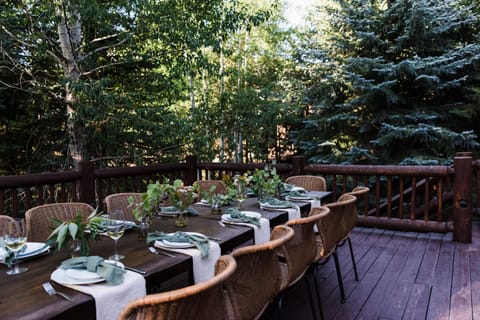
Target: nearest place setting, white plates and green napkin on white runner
[{"x": 107, "y": 281}]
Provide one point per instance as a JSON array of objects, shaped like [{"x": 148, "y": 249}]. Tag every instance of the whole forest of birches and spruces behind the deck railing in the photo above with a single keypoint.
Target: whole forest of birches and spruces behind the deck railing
[{"x": 135, "y": 82}]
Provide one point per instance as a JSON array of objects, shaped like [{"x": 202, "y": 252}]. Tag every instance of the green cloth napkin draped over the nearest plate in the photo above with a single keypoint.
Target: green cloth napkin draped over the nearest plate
[{"x": 112, "y": 273}]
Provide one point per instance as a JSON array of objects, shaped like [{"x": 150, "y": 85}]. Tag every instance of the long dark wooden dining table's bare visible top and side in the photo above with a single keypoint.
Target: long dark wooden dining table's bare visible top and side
[{"x": 23, "y": 297}]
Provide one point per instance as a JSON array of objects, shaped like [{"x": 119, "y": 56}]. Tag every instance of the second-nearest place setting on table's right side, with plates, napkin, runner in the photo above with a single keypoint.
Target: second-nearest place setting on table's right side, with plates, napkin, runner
[{"x": 204, "y": 252}]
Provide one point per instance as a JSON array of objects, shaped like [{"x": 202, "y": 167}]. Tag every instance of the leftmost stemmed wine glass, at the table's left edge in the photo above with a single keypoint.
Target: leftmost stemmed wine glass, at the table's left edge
[{"x": 15, "y": 239}]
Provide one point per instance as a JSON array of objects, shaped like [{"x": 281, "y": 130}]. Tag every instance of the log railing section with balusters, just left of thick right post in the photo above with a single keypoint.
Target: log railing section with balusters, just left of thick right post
[{"x": 401, "y": 197}]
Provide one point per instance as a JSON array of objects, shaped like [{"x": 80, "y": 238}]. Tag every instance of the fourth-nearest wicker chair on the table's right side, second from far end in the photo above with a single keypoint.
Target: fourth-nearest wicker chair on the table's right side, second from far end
[{"x": 331, "y": 233}]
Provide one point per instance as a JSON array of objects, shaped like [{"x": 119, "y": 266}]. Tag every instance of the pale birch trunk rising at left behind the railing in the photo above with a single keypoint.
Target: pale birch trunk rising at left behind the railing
[{"x": 70, "y": 36}]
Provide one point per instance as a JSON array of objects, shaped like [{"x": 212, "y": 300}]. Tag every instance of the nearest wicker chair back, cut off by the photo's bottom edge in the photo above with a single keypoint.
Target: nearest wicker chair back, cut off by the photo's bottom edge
[{"x": 202, "y": 301}]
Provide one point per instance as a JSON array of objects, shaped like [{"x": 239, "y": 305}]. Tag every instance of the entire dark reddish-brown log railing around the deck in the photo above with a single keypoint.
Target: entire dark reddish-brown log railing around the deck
[{"x": 421, "y": 198}]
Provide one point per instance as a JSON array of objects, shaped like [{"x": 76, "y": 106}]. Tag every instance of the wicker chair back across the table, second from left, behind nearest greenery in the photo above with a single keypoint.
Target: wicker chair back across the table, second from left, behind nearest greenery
[{"x": 39, "y": 220}]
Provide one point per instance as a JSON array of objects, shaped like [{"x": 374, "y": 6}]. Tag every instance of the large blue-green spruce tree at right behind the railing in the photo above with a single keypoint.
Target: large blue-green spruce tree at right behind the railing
[{"x": 399, "y": 82}]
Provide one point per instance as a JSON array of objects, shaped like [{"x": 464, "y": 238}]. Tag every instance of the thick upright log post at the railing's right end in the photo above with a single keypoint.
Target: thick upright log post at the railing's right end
[{"x": 462, "y": 206}]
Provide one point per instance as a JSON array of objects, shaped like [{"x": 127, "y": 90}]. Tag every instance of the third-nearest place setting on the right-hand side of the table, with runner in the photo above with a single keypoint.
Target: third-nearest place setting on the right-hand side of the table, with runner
[{"x": 261, "y": 226}]
